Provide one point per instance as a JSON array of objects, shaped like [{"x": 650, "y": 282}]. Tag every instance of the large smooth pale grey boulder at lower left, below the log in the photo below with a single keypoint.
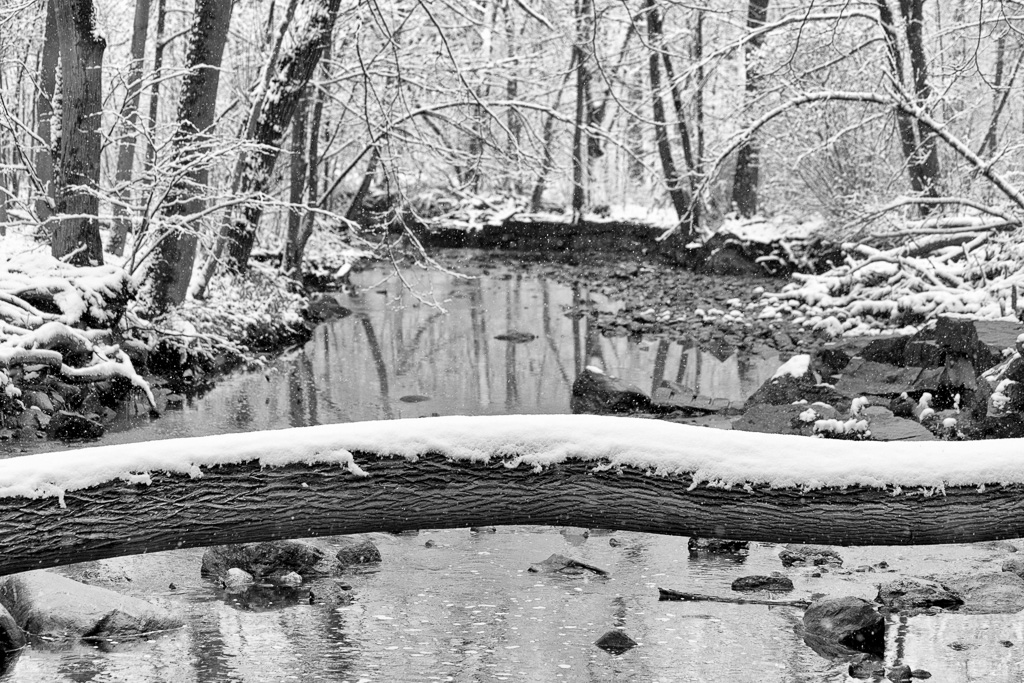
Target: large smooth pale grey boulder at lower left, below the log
[{"x": 54, "y": 608}]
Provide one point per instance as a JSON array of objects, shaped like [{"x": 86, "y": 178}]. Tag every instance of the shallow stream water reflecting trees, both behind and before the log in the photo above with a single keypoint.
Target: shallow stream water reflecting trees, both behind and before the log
[{"x": 465, "y": 609}]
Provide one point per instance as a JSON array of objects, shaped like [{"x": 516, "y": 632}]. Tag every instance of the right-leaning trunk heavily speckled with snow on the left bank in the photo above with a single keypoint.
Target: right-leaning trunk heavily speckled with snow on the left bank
[{"x": 294, "y": 70}]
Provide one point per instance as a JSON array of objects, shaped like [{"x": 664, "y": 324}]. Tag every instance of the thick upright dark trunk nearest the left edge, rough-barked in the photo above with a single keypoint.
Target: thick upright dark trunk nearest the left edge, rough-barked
[{"x": 76, "y": 236}]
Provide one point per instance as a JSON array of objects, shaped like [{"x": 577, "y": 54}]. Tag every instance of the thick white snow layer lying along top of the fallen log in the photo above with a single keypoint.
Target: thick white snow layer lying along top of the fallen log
[{"x": 713, "y": 457}]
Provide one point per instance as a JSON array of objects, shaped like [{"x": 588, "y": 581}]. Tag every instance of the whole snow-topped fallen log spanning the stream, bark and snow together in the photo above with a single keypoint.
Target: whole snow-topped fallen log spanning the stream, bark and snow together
[{"x": 622, "y": 474}]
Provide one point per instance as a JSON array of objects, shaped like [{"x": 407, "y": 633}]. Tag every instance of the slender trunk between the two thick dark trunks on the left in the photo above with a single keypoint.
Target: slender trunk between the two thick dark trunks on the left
[{"x": 130, "y": 123}]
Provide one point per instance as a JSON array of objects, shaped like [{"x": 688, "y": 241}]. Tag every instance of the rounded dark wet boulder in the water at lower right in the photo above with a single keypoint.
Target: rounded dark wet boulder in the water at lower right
[{"x": 849, "y": 622}]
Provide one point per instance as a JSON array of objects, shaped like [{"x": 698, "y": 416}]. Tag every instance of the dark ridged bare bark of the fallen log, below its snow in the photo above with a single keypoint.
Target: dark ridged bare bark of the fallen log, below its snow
[{"x": 245, "y": 503}]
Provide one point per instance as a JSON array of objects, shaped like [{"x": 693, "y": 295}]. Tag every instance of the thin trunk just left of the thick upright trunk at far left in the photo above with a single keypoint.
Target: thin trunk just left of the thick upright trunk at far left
[{"x": 45, "y": 111}]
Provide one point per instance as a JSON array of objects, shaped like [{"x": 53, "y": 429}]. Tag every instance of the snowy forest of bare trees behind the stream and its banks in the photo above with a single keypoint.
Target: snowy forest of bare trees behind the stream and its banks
[{"x": 187, "y": 133}]
